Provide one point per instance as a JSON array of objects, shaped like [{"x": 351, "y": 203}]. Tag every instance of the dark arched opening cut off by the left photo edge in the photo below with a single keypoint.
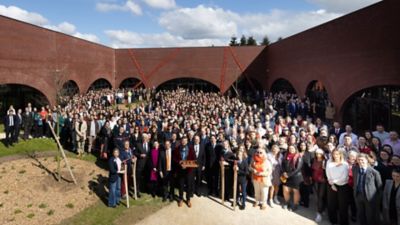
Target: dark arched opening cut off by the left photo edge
[{"x": 19, "y": 96}]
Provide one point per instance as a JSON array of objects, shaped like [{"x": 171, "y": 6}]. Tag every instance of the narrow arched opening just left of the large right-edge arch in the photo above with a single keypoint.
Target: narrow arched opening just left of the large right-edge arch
[{"x": 318, "y": 97}]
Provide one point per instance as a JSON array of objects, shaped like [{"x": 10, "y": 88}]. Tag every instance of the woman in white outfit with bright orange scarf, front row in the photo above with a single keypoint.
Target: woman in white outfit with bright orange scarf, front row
[{"x": 261, "y": 170}]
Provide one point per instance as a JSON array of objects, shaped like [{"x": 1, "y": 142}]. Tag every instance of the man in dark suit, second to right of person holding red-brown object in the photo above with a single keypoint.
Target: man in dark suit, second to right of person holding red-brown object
[{"x": 212, "y": 166}]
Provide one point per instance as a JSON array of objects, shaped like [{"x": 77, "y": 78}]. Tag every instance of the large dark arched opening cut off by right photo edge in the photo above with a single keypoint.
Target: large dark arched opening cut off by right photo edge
[{"x": 370, "y": 106}]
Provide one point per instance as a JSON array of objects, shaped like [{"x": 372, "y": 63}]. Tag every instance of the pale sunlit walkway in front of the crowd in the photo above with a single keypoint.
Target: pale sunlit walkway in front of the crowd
[{"x": 209, "y": 211}]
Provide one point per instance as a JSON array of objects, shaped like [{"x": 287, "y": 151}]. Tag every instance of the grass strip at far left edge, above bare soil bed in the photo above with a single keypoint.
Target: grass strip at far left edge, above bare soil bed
[{"x": 29, "y": 146}]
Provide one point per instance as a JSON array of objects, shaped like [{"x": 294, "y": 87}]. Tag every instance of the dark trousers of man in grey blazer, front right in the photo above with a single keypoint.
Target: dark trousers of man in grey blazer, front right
[{"x": 368, "y": 211}]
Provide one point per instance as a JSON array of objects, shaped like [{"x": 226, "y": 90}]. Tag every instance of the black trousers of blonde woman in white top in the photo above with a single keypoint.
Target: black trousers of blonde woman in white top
[{"x": 338, "y": 203}]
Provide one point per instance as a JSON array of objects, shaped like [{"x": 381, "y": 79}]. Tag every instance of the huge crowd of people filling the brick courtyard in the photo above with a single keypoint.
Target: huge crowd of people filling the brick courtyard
[{"x": 282, "y": 144}]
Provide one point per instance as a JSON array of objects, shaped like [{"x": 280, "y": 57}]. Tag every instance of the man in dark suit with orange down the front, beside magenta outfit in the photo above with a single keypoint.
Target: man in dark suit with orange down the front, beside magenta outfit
[{"x": 165, "y": 167}]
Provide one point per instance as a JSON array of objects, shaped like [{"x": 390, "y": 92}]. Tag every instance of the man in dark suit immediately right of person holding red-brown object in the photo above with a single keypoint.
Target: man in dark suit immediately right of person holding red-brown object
[{"x": 199, "y": 151}]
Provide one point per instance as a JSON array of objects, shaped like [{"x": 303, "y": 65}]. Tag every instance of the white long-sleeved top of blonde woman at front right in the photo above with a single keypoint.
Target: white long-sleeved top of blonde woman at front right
[{"x": 337, "y": 174}]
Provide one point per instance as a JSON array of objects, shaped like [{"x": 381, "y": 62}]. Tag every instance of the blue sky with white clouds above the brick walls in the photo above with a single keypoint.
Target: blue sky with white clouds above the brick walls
[{"x": 174, "y": 23}]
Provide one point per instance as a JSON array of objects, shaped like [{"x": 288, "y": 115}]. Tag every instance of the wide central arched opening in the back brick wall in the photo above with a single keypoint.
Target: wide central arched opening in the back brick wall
[{"x": 191, "y": 84}]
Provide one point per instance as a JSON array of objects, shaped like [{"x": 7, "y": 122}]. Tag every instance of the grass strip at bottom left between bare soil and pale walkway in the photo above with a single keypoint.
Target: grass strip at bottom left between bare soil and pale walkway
[{"x": 100, "y": 214}]
